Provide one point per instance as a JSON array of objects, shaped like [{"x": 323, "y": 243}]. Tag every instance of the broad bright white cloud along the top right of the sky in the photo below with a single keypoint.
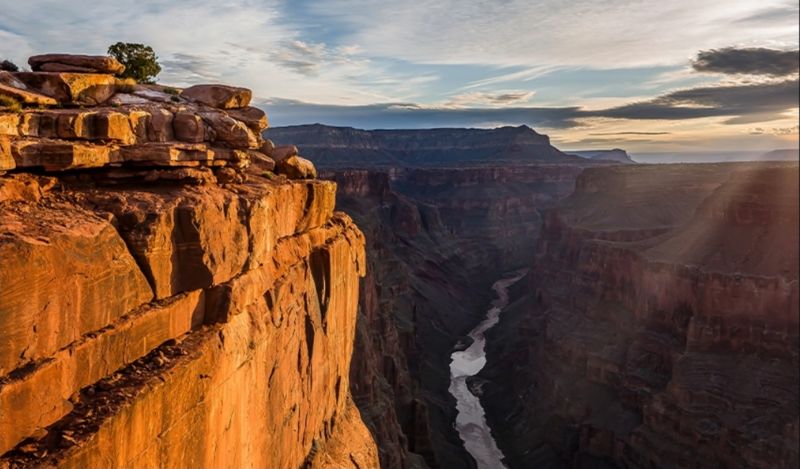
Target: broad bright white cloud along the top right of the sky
[{"x": 550, "y": 33}]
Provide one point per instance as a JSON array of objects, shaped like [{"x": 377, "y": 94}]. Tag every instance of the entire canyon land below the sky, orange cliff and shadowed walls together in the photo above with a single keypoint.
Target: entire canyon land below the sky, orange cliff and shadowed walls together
[{"x": 181, "y": 288}]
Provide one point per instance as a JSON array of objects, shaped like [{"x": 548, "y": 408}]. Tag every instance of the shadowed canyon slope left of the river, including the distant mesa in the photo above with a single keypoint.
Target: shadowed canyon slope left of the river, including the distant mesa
[{"x": 441, "y": 226}]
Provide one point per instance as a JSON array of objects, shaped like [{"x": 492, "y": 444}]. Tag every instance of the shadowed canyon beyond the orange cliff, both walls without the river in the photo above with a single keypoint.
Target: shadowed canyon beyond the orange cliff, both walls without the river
[{"x": 580, "y": 369}]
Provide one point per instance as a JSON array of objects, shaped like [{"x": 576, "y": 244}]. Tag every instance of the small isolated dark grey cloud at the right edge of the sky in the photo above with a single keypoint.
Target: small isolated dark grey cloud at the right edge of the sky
[{"x": 752, "y": 61}]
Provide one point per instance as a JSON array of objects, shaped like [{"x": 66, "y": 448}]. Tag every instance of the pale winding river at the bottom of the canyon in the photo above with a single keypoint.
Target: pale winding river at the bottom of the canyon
[{"x": 471, "y": 418}]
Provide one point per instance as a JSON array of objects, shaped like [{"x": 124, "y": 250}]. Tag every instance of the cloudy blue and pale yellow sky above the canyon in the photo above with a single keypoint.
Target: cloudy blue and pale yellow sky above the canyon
[{"x": 643, "y": 75}]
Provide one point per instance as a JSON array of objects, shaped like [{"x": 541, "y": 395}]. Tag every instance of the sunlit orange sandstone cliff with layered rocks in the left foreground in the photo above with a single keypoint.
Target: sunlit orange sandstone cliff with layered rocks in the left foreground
[{"x": 167, "y": 303}]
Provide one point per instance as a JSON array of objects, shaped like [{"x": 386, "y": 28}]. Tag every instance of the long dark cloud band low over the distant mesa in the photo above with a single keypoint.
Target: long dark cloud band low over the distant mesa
[{"x": 757, "y": 102}]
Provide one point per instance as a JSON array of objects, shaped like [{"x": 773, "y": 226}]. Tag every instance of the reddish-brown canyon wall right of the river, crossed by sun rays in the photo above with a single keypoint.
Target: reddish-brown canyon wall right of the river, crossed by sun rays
[{"x": 659, "y": 324}]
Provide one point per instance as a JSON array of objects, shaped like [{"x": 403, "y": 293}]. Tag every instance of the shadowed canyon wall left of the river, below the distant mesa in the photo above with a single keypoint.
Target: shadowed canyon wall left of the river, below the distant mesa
[{"x": 437, "y": 238}]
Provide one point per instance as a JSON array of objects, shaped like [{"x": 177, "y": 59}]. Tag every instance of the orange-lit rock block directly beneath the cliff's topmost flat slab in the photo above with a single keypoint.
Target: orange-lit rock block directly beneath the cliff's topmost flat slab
[{"x": 84, "y": 88}]
